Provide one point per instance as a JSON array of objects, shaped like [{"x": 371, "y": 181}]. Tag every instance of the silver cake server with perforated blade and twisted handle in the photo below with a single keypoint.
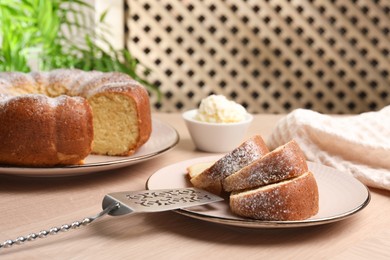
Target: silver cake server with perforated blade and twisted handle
[{"x": 129, "y": 202}]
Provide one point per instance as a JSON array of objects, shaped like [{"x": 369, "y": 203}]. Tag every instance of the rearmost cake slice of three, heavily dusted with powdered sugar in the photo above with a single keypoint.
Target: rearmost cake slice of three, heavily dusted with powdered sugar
[{"x": 211, "y": 178}]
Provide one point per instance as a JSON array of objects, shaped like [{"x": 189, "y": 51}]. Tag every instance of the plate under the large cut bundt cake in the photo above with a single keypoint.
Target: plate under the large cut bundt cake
[{"x": 163, "y": 138}]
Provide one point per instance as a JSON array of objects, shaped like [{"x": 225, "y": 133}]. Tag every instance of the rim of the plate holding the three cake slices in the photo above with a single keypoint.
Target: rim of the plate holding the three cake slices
[{"x": 254, "y": 223}]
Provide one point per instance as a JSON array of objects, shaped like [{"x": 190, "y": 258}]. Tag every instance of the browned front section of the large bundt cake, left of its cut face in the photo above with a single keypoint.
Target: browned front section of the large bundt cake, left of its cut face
[{"x": 39, "y": 131}]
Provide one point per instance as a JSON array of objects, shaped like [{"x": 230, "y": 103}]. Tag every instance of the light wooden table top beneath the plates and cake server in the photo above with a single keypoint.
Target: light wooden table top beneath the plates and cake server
[{"x": 32, "y": 204}]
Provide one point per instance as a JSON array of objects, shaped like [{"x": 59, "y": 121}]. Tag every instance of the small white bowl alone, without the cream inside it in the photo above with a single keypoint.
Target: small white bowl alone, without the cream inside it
[{"x": 216, "y": 137}]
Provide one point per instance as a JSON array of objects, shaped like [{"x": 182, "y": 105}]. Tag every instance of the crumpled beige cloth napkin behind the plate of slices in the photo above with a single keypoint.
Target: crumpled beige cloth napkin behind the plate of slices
[{"x": 358, "y": 144}]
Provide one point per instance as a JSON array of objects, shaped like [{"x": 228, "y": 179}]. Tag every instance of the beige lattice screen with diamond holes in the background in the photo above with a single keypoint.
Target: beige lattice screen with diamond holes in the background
[{"x": 271, "y": 56}]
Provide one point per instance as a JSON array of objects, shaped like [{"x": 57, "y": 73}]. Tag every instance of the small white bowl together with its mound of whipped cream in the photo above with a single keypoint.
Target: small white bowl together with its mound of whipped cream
[{"x": 219, "y": 125}]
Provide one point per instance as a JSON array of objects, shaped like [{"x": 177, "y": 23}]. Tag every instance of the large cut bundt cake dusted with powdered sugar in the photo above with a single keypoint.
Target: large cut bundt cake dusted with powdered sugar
[{"x": 59, "y": 117}]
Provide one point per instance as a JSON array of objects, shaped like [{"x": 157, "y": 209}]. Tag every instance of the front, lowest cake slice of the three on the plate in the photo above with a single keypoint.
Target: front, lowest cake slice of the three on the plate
[{"x": 294, "y": 199}]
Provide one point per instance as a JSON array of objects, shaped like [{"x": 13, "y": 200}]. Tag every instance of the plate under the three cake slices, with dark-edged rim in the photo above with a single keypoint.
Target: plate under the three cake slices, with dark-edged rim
[{"x": 340, "y": 196}]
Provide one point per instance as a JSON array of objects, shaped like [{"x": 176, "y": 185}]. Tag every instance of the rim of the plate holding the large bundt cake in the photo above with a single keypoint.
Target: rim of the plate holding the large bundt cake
[{"x": 122, "y": 162}]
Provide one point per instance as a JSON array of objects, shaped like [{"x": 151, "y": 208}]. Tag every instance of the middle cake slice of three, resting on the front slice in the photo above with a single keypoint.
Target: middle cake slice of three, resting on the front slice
[{"x": 283, "y": 163}]
